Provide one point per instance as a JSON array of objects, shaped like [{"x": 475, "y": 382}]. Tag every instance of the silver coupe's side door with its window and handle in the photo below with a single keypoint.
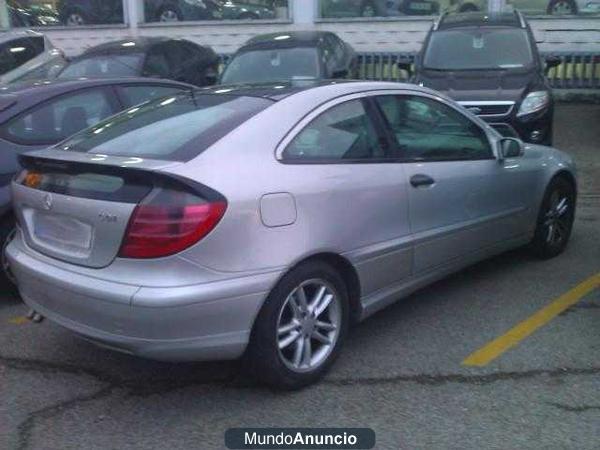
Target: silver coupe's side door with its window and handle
[{"x": 462, "y": 200}]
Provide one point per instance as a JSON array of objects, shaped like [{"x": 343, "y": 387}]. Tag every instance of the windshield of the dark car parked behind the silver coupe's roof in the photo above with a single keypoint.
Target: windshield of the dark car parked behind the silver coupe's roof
[{"x": 272, "y": 65}]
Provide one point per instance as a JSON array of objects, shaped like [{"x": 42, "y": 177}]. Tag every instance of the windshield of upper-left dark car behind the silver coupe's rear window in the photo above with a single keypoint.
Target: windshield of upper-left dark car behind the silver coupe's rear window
[{"x": 104, "y": 66}]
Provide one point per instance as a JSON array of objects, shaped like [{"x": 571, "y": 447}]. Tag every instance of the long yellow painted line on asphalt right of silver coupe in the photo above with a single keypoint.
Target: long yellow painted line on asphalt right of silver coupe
[{"x": 512, "y": 337}]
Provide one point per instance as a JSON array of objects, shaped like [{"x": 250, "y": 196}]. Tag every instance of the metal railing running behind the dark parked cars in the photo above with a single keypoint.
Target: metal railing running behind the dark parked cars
[{"x": 578, "y": 70}]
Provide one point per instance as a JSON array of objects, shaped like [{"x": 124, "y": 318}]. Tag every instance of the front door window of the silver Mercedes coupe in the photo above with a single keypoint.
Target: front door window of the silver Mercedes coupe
[{"x": 428, "y": 130}]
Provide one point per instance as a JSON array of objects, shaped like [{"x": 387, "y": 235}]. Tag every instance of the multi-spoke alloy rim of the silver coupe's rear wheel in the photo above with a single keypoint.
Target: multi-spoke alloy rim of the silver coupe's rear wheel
[{"x": 309, "y": 325}]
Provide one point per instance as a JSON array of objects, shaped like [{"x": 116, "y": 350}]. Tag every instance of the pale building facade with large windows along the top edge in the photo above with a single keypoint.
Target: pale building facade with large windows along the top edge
[{"x": 369, "y": 25}]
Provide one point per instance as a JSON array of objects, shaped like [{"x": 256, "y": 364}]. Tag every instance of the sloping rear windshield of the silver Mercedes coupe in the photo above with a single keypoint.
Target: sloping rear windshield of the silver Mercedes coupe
[{"x": 176, "y": 128}]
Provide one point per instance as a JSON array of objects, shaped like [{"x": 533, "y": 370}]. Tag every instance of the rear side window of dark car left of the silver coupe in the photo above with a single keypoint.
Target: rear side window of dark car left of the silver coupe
[{"x": 59, "y": 118}]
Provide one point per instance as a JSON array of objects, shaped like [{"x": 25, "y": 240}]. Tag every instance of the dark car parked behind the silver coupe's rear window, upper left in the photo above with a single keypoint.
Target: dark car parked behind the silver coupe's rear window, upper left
[{"x": 156, "y": 57}]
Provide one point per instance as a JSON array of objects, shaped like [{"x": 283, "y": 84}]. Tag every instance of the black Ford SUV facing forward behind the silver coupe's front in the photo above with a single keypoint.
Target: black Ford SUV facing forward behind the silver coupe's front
[{"x": 490, "y": 64}]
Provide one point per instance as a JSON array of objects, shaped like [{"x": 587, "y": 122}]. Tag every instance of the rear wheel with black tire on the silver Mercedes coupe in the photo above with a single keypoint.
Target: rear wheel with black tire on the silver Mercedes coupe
[{"x": 294, "y": 357}]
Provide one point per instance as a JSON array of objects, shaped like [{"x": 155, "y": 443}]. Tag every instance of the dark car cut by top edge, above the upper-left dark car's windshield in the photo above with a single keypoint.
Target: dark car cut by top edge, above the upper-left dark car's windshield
[{"x": 90, "y": 12}]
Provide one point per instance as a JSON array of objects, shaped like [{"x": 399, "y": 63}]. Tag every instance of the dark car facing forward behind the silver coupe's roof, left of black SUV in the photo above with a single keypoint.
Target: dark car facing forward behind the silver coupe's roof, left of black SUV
[{"x": 291, "y": 55}]
